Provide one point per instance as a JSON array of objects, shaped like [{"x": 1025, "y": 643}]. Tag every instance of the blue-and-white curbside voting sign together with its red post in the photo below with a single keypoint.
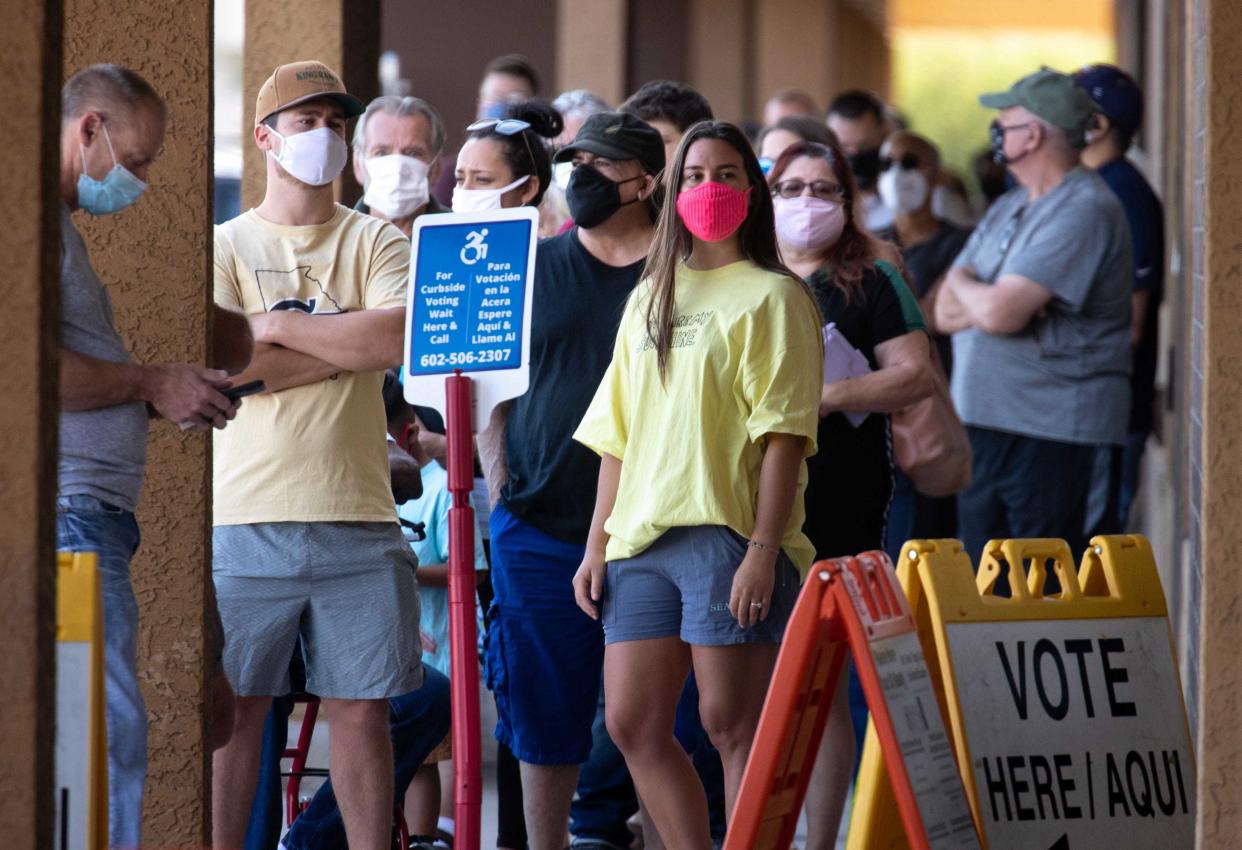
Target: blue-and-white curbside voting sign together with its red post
[{"x": 469, "y": 310}]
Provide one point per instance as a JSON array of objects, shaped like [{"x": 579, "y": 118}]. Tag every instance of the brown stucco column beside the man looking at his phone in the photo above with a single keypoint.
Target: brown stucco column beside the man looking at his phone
[{"x": 156, "y": 260}]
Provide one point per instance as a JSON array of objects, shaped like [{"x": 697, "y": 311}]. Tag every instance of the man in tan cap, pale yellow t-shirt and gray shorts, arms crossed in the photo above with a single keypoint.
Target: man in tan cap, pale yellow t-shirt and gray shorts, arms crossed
[{"x": 306, "y": 542}]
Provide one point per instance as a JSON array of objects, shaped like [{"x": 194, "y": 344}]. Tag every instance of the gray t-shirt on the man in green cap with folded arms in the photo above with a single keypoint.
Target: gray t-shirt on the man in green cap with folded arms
[{"x": 1066, "y": 376}]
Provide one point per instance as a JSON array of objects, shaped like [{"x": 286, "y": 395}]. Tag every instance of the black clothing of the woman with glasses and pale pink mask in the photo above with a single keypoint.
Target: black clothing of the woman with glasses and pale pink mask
[{"x": 851, "y": 479}]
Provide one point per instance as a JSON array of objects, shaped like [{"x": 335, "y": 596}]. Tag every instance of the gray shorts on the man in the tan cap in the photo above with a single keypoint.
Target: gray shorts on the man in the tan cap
[{"x": 346, "y": 590}]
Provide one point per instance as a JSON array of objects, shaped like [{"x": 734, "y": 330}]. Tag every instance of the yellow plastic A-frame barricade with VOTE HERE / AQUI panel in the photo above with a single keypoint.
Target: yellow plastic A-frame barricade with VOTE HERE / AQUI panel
[{"x": 1066, "y": 710}]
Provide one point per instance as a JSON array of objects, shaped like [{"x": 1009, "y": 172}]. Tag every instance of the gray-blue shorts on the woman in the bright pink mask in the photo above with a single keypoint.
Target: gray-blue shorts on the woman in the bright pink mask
[{"x": 680, "y": 587}]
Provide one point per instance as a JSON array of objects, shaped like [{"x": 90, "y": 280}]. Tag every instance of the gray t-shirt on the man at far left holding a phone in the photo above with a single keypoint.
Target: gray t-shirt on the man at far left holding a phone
[{"x": 102, "y": 452}]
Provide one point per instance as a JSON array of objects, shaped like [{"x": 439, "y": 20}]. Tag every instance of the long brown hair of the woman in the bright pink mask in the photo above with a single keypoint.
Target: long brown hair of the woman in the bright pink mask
[{"x": 674, "y": 243}]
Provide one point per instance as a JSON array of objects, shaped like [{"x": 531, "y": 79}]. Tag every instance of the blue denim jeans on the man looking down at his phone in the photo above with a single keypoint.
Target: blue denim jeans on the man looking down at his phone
[{"x": 84, "y": 524}]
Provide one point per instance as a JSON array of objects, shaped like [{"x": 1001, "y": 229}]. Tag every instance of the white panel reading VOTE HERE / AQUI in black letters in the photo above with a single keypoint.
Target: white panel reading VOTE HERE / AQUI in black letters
[{"x": 1076, "y": 734}]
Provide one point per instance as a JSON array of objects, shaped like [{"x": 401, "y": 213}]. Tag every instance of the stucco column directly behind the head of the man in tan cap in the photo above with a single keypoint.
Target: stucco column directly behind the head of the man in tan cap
[{"x": 345, "y": 34}]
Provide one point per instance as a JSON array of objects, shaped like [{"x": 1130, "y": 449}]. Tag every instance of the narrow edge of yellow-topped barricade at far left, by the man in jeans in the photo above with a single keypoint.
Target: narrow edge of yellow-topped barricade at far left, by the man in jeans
[{"x": 81, "y": 739}]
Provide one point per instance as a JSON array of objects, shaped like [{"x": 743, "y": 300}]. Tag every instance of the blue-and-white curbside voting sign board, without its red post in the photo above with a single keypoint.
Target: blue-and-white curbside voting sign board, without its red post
[{"x": 469, "y": 306}]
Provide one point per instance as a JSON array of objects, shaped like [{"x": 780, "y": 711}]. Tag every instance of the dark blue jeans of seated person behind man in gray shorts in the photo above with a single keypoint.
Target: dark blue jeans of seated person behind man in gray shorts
[{"x": 418, "y": 721}]
